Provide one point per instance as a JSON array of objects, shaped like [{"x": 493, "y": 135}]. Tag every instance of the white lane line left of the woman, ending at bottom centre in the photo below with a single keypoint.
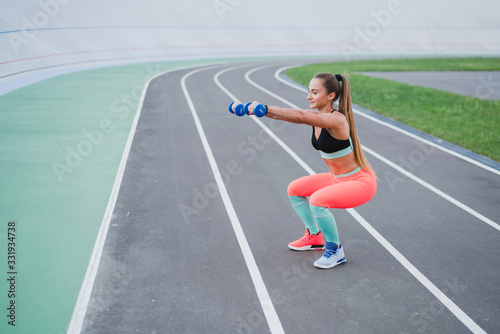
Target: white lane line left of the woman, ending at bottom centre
[{"x": 264, "y": 298}]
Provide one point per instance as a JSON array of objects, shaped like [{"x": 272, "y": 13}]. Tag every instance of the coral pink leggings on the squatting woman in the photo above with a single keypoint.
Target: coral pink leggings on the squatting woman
[{"x": 329, "y": 191}]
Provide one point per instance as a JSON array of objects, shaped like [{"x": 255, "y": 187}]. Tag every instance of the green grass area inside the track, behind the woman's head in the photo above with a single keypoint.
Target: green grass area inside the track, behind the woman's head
[{"x": 466, "y": 121}]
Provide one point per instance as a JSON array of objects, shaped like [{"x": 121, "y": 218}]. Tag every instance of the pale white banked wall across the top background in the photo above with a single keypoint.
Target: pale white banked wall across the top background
[{"x": 38, "y": 37}]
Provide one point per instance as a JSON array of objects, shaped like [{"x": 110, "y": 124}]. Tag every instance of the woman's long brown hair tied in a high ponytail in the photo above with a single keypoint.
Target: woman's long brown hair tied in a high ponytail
[{"x": 343, "y": 94}]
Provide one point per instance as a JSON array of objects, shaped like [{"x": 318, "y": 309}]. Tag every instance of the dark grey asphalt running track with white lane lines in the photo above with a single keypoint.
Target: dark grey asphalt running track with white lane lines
[{"x": 198, "y": 238}]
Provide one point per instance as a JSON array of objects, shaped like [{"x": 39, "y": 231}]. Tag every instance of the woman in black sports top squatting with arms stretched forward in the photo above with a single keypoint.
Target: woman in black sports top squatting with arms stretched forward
[{"x": 351, "y": 181}]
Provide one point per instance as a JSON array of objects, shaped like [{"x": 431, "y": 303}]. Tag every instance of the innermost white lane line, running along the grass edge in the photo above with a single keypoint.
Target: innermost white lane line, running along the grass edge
[{"x": 393, "y": 127}]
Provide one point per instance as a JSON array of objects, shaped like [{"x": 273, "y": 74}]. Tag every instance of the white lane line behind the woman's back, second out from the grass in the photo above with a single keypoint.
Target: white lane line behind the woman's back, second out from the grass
[{"x": 388, "y": 162}]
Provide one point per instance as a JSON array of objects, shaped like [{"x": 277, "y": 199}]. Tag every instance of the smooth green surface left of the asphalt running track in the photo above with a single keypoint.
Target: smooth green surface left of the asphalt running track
[{"x": 61, "y": 142}]
